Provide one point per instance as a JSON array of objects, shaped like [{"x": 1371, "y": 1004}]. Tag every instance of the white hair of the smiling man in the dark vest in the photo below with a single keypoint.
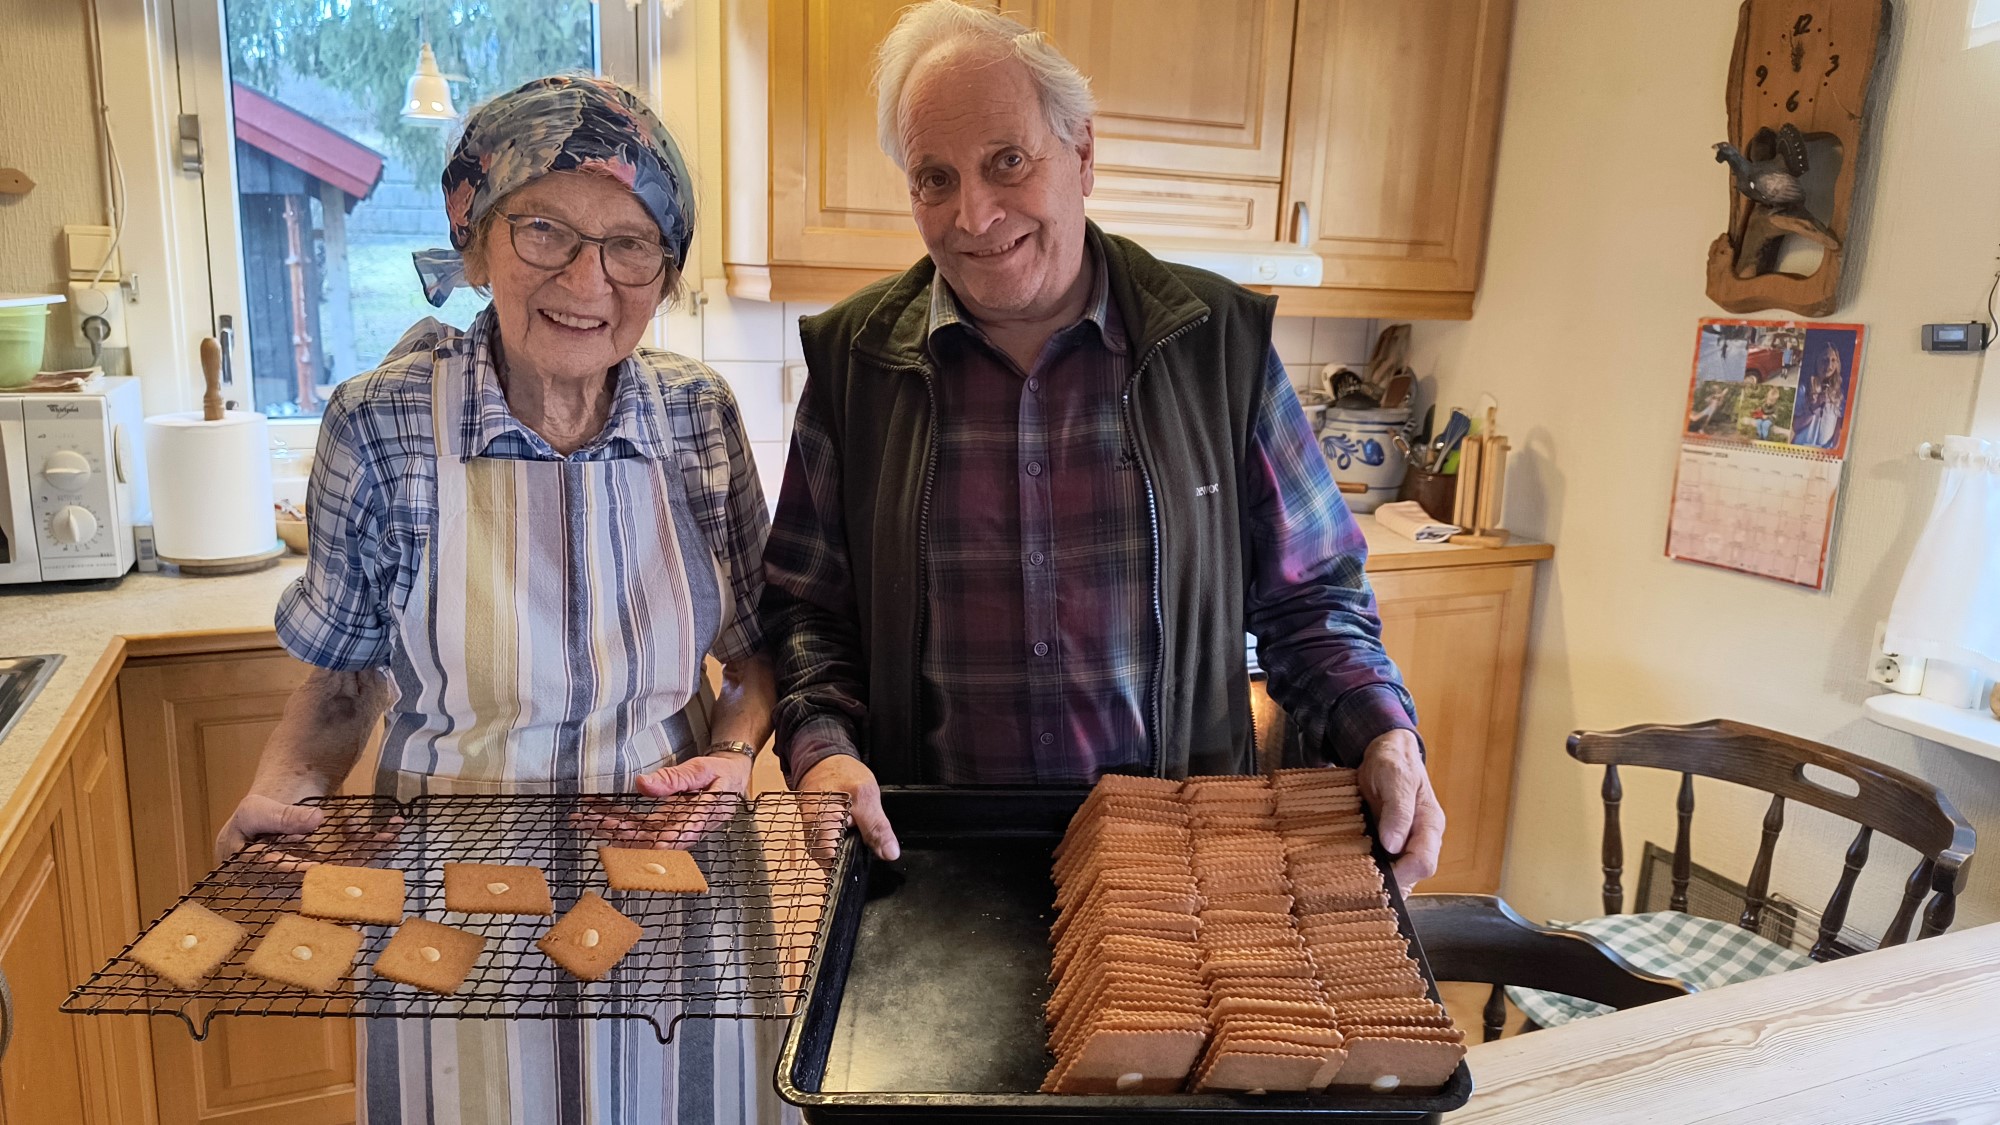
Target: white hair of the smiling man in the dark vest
[{"x": 933, "y": 25}]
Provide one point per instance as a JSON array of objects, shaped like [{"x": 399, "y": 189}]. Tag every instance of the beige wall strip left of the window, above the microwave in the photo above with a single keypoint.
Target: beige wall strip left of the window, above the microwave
[{"x": 51, "y": 133}]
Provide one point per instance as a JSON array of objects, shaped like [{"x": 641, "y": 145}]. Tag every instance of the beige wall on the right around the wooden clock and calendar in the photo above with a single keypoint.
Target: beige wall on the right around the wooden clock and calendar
[{"x": 1605, "y": 205}]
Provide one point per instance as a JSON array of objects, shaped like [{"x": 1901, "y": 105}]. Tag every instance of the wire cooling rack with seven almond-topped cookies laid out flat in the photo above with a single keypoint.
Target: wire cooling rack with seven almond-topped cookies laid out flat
[{"x": 501, "y": 908}]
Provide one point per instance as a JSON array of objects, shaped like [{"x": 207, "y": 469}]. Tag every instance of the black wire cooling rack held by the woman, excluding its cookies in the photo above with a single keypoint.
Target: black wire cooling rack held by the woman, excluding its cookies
[{"x": 739, "y": 952}]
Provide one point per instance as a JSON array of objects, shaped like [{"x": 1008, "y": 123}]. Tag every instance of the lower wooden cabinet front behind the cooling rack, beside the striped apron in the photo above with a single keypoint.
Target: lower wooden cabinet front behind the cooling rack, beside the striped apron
[{"x": 195, "y": 730}]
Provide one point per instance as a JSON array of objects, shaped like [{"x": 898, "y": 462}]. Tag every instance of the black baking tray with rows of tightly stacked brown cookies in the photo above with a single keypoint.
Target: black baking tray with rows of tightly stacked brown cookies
[{"x": 1207, "y": 950}]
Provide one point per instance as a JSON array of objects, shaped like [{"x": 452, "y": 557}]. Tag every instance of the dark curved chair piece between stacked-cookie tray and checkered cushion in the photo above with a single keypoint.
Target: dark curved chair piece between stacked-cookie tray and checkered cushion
[{"x": 1481, "y": 940}]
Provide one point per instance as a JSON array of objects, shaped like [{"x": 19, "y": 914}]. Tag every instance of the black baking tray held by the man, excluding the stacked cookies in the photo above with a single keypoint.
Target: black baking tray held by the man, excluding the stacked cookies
[{"x": 927, "y": 988}]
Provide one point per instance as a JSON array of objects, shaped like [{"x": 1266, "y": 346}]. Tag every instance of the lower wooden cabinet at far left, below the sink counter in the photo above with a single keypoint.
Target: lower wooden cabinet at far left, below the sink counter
[{"x": 67, "y": 908}]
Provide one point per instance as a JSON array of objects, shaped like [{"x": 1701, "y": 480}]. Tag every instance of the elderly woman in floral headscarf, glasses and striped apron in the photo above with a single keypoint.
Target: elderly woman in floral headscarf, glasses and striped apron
[{"x": 537, "y": 531}]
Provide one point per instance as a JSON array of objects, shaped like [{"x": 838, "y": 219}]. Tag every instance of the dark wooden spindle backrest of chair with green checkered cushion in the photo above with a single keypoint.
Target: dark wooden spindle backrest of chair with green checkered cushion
[{"x": 1885, "y": 802}]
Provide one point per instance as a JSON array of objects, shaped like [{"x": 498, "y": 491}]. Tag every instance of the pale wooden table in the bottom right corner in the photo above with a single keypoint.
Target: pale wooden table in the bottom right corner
[{"x": 1907, "y": 1034}]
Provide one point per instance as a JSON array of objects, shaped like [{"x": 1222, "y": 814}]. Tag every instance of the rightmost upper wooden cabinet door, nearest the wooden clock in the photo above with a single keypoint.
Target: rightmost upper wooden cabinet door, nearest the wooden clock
[{"x": 1395, "y": 123}]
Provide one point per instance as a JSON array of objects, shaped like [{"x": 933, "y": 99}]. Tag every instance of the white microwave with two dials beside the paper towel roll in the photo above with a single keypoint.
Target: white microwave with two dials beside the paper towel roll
[{"x": 73, "y": 483}]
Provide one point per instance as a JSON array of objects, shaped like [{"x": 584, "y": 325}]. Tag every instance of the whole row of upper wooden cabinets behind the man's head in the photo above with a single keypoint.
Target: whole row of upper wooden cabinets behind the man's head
[{"x": 1371, "y": 127}]
